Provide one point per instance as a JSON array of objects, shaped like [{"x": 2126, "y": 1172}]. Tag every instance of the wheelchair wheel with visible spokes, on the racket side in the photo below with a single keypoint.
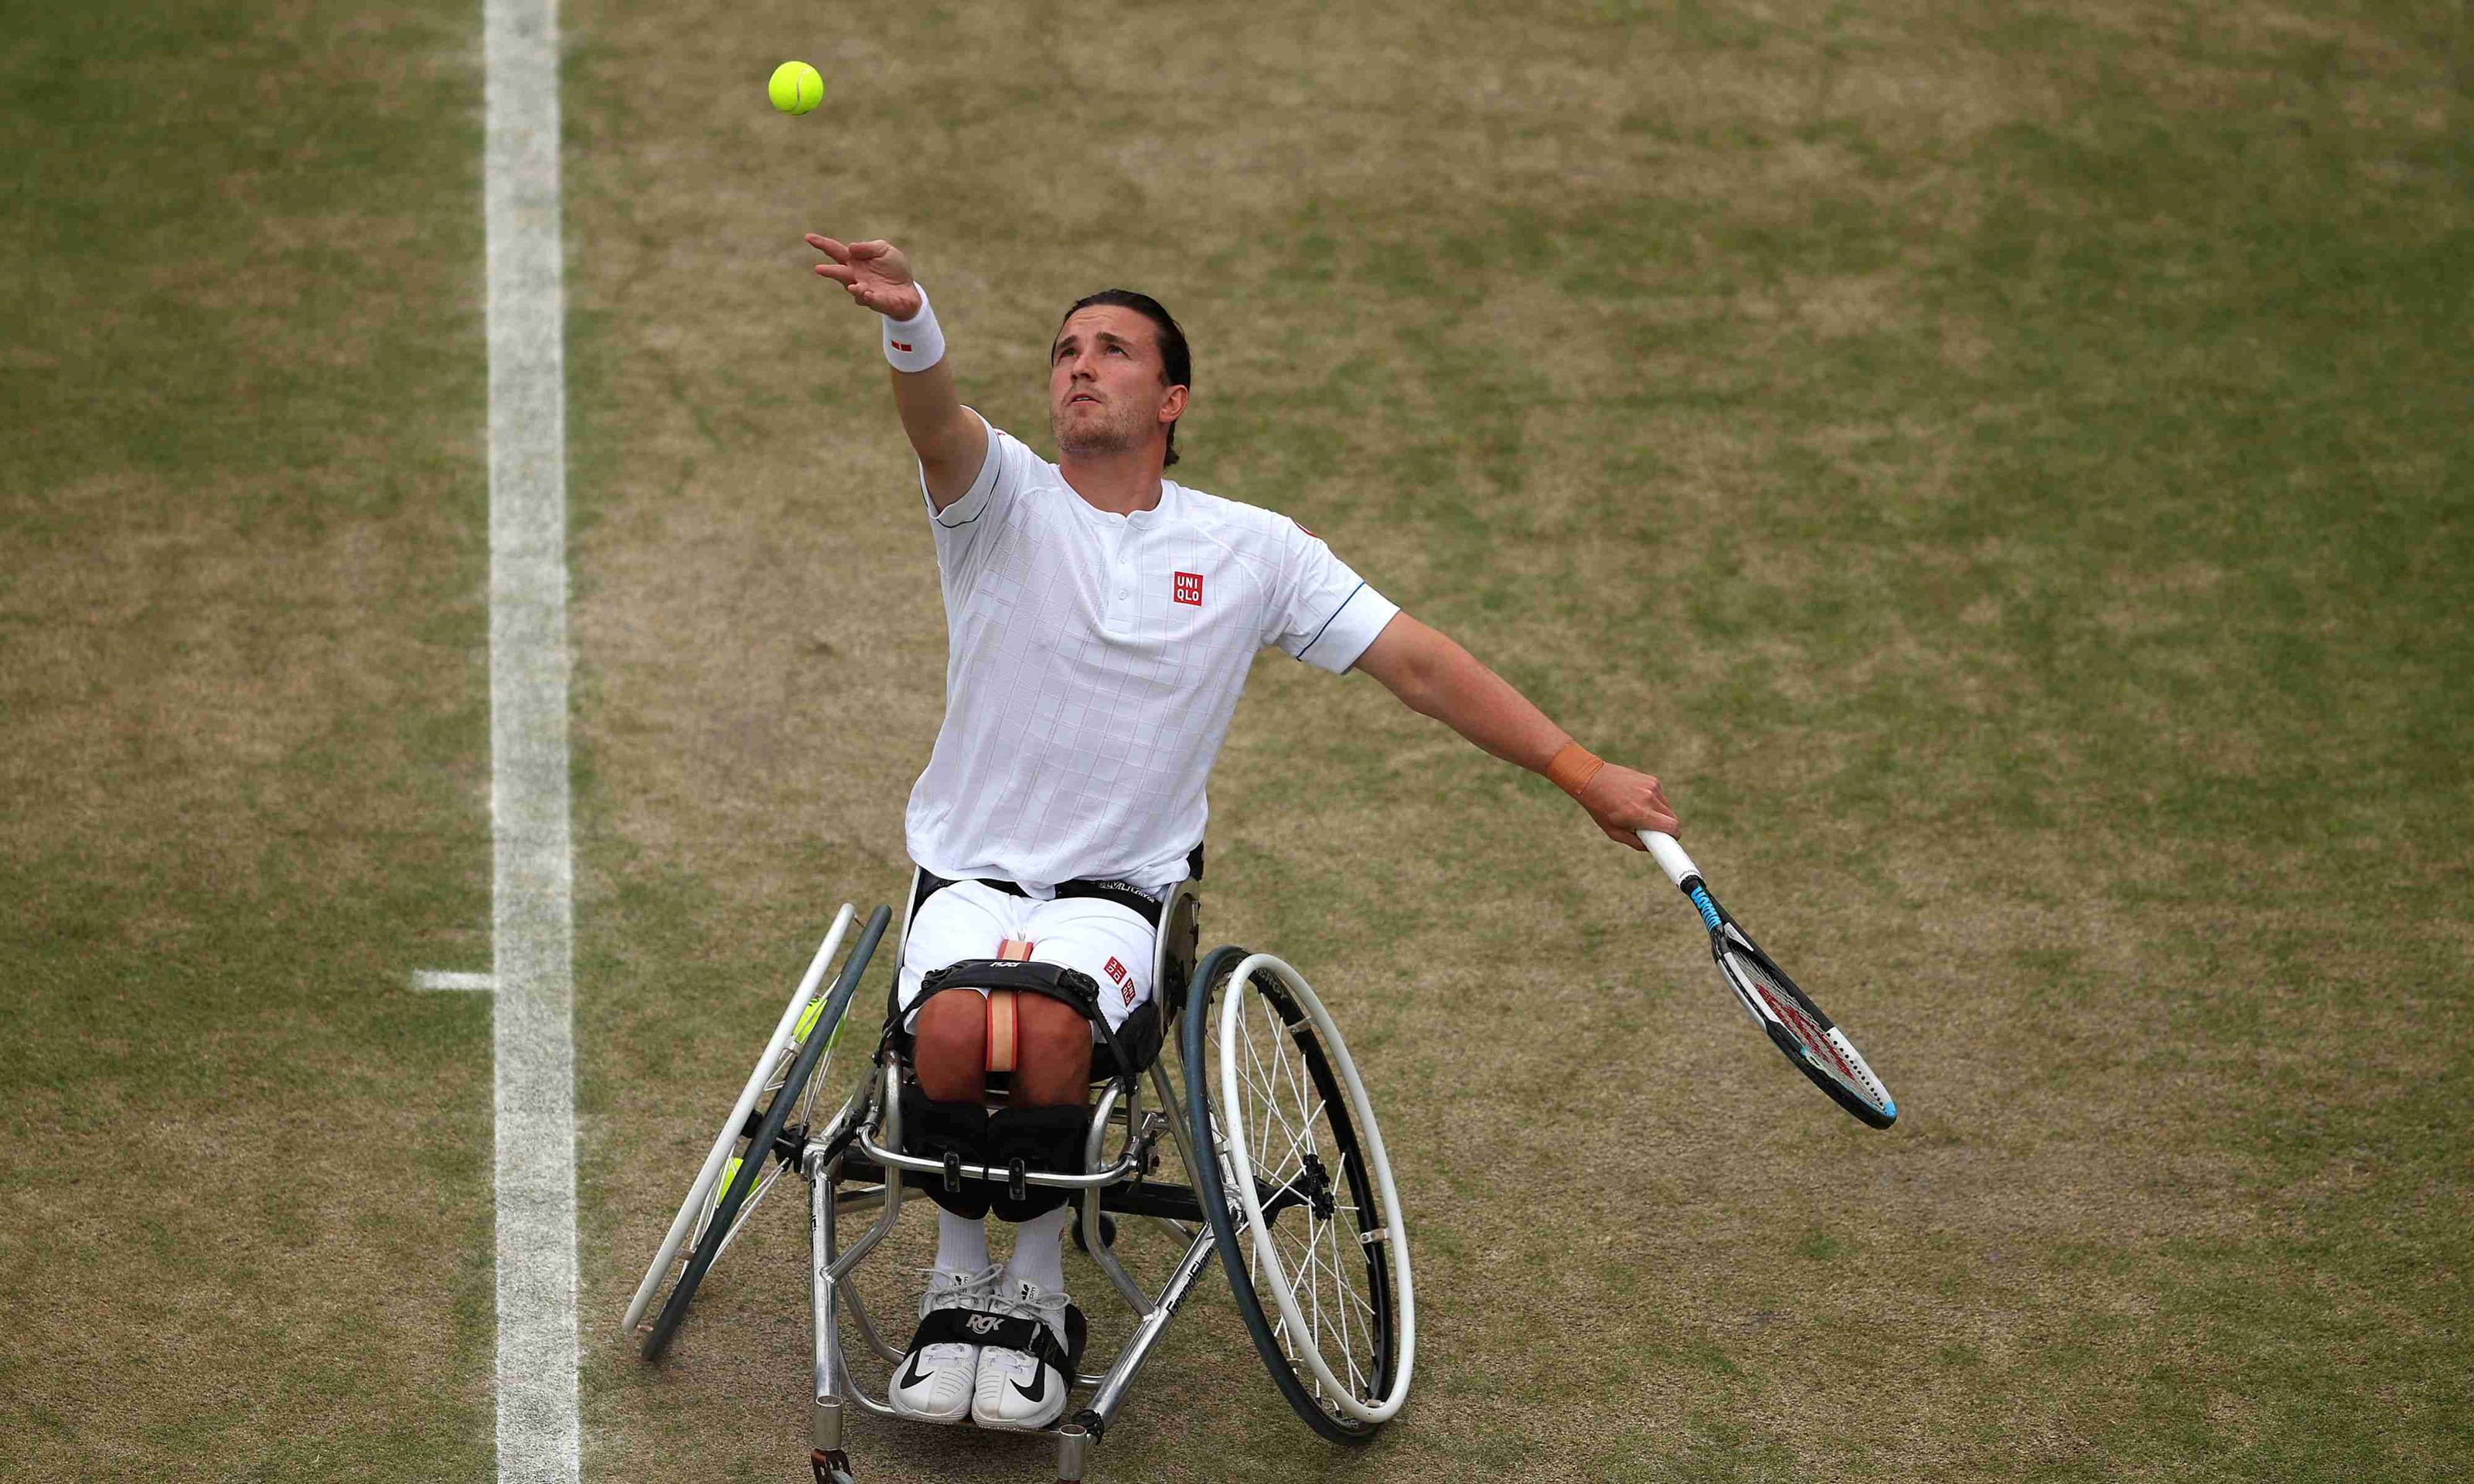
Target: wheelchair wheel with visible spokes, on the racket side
[{"x": 1300, "y": 1193}]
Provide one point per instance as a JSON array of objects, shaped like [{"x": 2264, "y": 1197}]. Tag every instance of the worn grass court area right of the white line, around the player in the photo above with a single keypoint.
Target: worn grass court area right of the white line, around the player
[{"x": 2003, "y": 466}]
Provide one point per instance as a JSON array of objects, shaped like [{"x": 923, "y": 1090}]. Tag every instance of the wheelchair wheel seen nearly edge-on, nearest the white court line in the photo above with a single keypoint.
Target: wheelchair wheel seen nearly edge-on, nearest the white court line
[{"x": 763, "y": 1156}]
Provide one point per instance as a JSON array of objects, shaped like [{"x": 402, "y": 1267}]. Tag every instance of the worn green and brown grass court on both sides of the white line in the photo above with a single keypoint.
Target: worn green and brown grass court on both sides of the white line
[{"x": 2005, "y": 466}]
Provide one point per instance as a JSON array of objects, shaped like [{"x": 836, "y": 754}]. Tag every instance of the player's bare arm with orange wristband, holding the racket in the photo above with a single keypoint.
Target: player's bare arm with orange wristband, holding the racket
[{"x": 1439, "y": 679}]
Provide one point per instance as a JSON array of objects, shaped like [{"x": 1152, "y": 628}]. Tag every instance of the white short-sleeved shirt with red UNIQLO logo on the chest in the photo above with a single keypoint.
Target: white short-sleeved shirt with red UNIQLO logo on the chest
[{"x": 1095, "y": 664}]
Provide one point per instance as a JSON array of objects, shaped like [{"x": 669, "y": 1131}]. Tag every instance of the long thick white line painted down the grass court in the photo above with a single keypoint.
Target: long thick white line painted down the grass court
[{"x": 533, "y": 887}]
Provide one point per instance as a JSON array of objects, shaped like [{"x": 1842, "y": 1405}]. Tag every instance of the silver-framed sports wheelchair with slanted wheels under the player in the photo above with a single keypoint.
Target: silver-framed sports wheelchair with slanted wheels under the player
[{"x": 1285, "y": 1181}]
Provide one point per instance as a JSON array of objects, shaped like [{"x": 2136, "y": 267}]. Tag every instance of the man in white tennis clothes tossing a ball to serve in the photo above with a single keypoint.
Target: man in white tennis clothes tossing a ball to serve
[{"x": 1100, "y": 627}]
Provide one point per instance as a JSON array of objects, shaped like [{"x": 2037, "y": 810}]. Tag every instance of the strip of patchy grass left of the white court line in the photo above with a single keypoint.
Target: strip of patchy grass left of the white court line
[{"x": 244, "y": 746}]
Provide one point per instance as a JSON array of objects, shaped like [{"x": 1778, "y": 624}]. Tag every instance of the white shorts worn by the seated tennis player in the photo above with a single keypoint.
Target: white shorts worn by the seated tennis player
[{"x": 1102, "y": 939}]
